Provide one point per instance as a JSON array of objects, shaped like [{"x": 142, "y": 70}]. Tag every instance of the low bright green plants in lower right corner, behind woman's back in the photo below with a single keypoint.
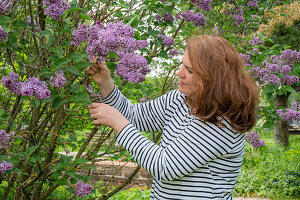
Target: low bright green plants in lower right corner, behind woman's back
[{"x": 270, "y": 171}]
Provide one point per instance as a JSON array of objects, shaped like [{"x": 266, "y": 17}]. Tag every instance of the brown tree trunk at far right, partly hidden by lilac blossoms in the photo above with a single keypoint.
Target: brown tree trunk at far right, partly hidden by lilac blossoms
[{"x": 281, "y": 128}]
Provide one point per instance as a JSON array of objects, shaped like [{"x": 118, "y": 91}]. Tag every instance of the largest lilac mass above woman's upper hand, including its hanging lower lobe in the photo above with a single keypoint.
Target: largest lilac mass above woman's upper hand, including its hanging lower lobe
[{"x": 118, "y": 38}]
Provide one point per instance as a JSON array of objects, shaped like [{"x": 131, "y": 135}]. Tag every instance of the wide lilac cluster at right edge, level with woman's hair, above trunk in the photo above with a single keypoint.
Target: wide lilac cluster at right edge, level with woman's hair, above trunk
[{"x": 276, "y": 69}]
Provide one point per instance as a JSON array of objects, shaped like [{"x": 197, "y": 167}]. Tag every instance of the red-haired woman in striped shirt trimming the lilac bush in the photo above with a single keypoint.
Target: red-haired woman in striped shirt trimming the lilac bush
[{"x": 202, "y": 145}]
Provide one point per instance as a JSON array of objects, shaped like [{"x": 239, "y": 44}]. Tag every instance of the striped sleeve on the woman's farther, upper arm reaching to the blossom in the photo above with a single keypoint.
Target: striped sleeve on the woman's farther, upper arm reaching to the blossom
[{"x": 148, "y": 116}]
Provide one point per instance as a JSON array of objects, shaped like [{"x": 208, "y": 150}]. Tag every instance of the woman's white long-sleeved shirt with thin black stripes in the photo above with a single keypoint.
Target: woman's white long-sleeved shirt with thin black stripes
[{"x": 194, "y": 160}]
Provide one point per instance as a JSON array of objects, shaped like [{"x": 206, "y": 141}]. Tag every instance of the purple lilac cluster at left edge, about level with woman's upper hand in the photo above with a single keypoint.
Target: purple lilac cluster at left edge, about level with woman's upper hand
[{"x": 31, "y": 87}]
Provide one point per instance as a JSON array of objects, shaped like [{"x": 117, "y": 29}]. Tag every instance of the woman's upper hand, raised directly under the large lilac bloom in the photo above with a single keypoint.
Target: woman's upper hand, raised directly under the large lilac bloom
[{"x": 99, "y": 73}]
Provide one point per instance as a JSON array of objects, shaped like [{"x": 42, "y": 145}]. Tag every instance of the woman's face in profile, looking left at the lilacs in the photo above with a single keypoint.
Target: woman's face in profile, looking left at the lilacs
[{"x": 185, "y": 73}]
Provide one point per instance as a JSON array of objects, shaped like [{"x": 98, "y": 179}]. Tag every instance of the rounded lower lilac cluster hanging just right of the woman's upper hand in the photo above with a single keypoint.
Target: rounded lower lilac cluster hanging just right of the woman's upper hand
[{"x": 132, "y": 67}]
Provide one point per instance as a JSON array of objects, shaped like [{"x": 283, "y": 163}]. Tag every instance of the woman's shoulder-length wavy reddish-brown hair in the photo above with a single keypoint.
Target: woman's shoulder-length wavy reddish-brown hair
[{"x": 223, "y": 87}]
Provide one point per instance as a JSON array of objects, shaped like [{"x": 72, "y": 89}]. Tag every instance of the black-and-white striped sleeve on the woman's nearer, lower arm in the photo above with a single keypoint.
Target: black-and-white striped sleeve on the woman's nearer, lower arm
[{"x": 199, "y": 144}]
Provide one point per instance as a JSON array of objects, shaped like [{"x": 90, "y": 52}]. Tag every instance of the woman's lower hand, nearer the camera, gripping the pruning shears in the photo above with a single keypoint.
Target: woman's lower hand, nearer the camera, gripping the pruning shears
[{"x": 107, "y": 115}]
